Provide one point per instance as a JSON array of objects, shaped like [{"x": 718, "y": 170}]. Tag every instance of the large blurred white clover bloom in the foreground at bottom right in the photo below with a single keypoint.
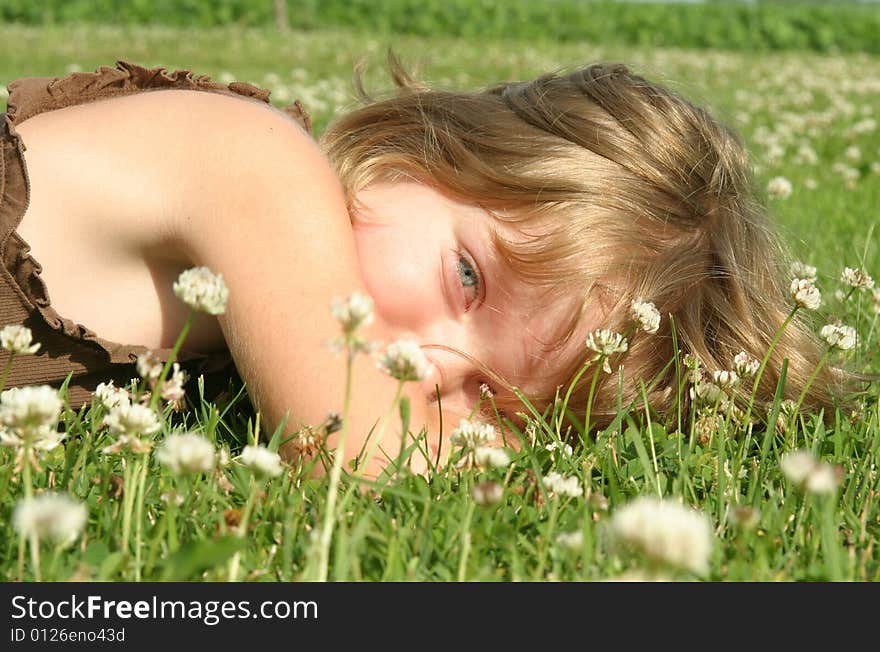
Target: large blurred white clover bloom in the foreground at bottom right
[{"x": 665, "y": 532}]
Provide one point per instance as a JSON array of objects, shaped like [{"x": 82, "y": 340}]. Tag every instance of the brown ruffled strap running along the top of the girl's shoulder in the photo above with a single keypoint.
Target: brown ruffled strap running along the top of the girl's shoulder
[{"x": 31, "y": 96}]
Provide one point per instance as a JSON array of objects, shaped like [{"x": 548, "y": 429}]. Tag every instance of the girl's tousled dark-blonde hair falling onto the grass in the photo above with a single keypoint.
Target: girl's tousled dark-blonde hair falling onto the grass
[{"x": 623, "y": 190}]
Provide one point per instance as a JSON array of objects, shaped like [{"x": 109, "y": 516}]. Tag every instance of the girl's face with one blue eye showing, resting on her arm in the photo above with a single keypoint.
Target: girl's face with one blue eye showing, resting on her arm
[{"x": 430, "y": 266}]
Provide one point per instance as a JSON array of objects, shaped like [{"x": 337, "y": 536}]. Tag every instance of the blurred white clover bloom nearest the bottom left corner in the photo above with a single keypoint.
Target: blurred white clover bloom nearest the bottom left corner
[{"x": 55, "y": 517}]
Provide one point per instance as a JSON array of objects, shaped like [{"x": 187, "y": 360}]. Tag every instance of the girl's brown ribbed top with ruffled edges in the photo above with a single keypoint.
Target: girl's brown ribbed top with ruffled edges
[{"x": 67, "y": 347}]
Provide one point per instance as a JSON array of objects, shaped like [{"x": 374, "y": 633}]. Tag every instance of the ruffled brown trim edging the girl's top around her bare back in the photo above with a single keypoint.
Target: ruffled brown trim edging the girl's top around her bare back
[{"x": 34, "y": 95}]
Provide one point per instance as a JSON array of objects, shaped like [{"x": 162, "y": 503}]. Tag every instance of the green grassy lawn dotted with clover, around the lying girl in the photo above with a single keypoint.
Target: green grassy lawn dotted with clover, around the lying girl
[{"x": 812, "y": 119}]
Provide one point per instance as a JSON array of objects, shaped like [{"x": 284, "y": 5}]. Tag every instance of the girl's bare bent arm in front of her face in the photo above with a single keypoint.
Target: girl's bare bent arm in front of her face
[{"x": 273, "y": 221}]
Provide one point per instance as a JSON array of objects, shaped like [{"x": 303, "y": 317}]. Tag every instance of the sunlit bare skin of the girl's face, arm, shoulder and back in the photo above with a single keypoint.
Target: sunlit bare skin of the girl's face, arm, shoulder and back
[{"x": 426, "y": 259}]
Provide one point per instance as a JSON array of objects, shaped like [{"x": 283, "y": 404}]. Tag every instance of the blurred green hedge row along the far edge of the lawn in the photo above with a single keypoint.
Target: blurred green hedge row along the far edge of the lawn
[{"x": 838, "y": 25}]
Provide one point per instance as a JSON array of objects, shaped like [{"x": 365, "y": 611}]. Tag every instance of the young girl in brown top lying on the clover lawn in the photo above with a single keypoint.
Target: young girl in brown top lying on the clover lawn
[{"x": 500, "y": 228}]
